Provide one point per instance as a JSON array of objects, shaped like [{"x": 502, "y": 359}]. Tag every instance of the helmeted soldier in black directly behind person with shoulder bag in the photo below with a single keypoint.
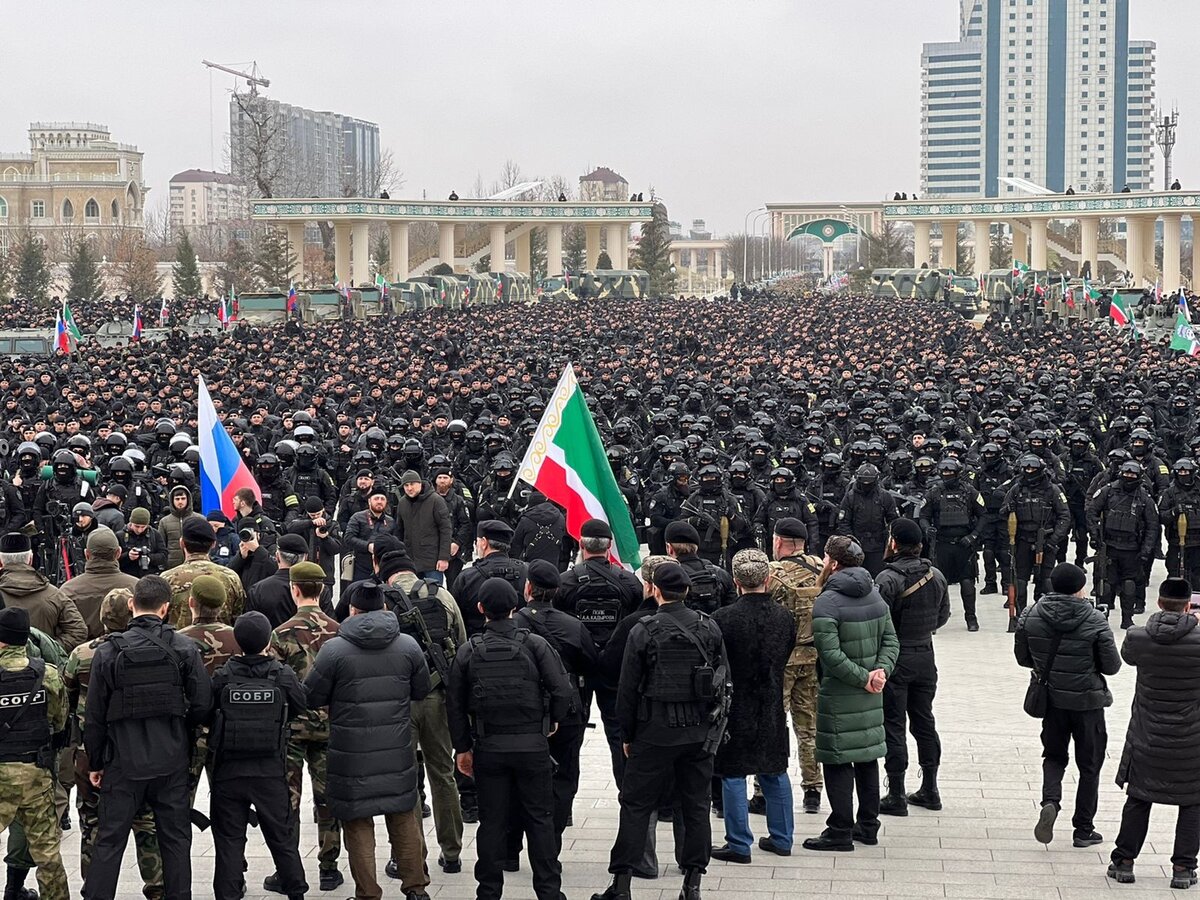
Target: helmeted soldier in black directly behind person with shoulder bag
[{"x": 1042, "y": 524}]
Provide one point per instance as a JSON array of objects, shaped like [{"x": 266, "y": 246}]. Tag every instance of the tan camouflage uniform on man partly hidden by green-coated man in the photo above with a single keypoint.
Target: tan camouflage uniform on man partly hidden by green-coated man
[{"x": 795, "y": 586}]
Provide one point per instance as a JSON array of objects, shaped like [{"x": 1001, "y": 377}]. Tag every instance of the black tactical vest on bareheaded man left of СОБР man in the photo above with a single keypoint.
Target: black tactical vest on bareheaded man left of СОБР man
[{"x": 148, "y": 681}]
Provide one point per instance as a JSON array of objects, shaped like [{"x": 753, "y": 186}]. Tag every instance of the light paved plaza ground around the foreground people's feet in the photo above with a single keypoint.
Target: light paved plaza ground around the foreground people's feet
[{"x": 980, "y": 847}]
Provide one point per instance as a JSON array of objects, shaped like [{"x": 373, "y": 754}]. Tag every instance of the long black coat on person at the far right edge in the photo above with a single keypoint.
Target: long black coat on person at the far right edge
[{"x": 1160, "y": 763}]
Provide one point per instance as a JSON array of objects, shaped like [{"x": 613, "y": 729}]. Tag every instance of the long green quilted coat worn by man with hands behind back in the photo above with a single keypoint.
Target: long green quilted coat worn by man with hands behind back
[{"x": 854, "y": 634}]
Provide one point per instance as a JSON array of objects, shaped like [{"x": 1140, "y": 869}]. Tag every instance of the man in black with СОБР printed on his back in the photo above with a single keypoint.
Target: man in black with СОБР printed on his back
[{"x": 255, "y": 698}]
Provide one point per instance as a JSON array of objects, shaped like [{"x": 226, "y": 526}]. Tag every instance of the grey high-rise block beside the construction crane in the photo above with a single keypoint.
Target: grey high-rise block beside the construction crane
[{"x": 305, "y": 153}]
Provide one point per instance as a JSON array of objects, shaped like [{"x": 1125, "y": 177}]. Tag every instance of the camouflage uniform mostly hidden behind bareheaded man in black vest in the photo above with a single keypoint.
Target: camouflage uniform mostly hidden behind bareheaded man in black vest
[{"x": 76, "y": 676}]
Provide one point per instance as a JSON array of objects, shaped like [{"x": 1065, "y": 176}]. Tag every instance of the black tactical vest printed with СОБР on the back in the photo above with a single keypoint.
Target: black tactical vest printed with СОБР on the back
[{"x": 251, "y": 718}]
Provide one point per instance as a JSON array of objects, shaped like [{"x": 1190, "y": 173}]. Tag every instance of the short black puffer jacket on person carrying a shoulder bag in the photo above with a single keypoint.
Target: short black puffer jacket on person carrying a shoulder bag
[{"x": 1087, "y": 655}]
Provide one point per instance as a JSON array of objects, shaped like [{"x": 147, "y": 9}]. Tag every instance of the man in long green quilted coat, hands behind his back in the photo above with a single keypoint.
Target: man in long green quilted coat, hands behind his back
[{"x": 857, "y": 649}]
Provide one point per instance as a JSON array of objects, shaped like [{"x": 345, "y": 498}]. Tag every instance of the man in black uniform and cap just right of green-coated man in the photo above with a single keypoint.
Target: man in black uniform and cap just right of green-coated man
[{"x": 917, "y": 596}]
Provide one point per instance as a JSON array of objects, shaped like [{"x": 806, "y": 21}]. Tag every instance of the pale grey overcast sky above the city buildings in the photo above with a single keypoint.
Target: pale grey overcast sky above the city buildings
[{"x": 721, "y": 105}]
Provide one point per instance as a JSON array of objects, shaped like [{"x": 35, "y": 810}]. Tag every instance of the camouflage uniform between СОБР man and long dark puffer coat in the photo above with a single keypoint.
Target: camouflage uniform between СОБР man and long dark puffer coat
[{"x": 296, "y": 644}]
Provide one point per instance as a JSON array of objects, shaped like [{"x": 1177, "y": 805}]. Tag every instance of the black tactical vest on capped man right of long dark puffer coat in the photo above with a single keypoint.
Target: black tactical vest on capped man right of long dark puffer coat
[{"x": 506, "y": 691}]
